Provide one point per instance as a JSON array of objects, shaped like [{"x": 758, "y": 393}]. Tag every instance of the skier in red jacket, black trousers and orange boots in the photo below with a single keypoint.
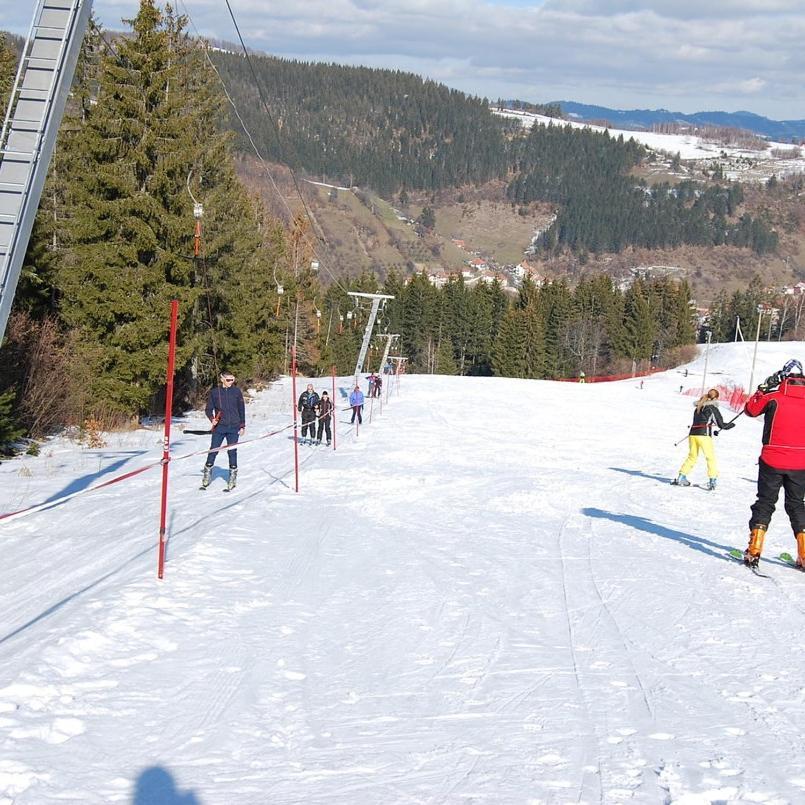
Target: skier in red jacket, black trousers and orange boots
[{"x": 781, "y": 399}]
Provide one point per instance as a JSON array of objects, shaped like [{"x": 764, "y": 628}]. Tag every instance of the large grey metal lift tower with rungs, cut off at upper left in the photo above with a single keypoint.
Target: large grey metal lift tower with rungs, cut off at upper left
[{"x": 30, "y": 126}]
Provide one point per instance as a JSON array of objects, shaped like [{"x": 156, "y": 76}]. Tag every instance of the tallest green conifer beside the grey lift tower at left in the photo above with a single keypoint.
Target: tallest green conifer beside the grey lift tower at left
[{"x": 152, "y": 135}]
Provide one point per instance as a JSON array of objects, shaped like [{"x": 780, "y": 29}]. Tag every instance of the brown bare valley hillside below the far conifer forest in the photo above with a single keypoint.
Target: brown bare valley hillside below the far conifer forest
[{"x": 363, "y": 232}]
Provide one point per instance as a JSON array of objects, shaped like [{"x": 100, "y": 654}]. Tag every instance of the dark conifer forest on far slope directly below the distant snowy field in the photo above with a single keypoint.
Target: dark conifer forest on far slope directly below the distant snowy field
[{"x": 602, "y": 208}]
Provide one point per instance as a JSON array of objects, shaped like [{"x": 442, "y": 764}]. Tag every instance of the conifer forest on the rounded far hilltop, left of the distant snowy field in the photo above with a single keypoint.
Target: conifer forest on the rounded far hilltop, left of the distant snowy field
[{"x": 357, "y": 126}]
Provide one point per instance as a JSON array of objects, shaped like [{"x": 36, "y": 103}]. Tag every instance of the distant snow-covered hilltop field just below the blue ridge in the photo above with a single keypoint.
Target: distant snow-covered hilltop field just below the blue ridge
[{"x": 738, "y": 163}]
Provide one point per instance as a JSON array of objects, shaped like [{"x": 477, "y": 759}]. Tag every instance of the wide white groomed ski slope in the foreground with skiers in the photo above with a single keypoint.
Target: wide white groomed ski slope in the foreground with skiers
[{"x": 489, "y": 594}]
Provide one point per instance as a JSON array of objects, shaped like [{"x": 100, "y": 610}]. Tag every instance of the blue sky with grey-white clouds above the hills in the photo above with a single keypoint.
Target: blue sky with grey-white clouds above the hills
[{"x": 685, "y": 55}]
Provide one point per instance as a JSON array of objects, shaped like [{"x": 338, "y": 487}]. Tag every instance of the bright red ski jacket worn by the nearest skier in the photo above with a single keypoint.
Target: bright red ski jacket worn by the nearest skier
[{"x": 784, "y": 426}]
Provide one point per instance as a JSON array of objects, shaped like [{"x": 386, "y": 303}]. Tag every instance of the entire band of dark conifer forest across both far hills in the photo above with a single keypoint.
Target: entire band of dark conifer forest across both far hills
[{"x": 390, "y": 131}]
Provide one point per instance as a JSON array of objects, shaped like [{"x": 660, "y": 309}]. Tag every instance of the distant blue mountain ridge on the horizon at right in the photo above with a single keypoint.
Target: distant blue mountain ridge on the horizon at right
[{"x": 780, "y": 130}]
